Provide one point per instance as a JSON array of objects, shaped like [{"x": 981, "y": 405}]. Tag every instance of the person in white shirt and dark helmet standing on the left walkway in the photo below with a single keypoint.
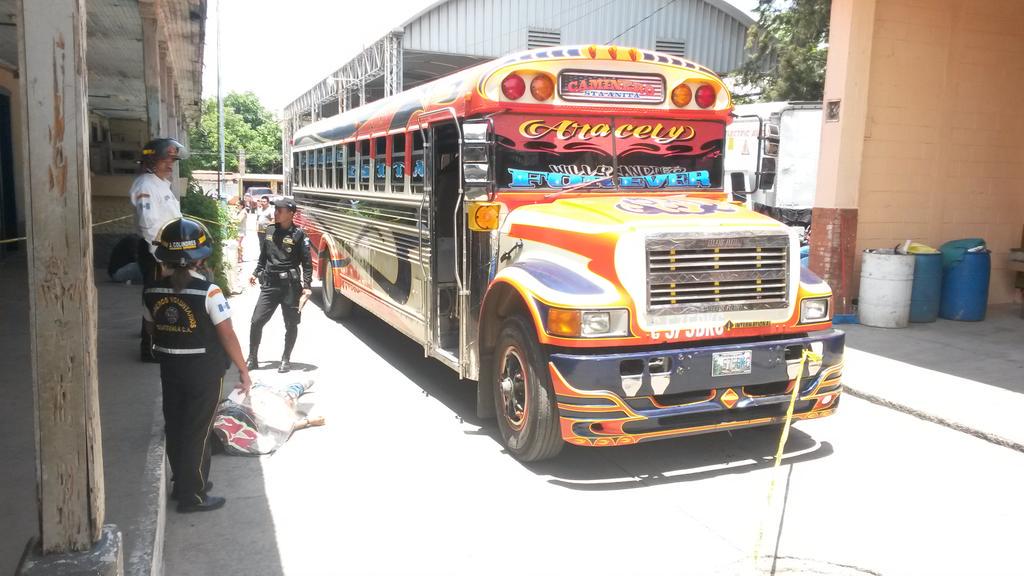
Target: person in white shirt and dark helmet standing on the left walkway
[{"x": 155, "y": 205}]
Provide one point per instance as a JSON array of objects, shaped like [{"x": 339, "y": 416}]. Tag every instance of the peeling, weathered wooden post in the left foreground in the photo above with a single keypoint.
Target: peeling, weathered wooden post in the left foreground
[{"x": 63, "y": 294}]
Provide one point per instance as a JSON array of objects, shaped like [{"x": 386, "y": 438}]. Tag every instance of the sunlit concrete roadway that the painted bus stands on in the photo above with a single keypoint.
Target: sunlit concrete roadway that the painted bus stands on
[{"x": 405, "y": 480}]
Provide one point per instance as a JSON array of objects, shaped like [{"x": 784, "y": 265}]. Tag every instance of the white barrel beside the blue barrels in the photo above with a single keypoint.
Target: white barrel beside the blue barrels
[{"x": 886, "y": 282}]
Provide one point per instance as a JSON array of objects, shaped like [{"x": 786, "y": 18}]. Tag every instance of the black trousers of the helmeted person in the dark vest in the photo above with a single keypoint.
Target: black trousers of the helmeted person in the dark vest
[{"x": 192, "y": 392}]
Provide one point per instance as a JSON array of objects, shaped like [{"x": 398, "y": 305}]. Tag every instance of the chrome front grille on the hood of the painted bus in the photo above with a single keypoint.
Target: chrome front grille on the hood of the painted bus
[{"x": 717, "y": 273}]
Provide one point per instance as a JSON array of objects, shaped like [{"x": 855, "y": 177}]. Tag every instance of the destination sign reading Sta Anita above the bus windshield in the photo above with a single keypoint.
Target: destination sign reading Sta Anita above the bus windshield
[{"x": 607, "y": 88}]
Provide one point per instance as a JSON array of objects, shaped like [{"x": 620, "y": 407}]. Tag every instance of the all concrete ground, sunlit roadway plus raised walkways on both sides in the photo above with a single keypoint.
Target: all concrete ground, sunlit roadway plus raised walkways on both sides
[{"x": 404, "y": 479}]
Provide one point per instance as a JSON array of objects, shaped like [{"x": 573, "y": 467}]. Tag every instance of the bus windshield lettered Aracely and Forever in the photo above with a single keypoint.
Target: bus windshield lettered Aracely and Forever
[{"x": 616, "y": 154}]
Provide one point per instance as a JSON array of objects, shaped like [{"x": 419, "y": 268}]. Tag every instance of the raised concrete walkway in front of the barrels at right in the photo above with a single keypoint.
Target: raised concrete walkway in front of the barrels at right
[{"x": 968, "y": 376}]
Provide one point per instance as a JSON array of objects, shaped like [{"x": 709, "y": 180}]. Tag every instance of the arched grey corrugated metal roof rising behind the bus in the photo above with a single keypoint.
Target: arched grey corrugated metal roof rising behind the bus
[{"x": 452, "y": 34}]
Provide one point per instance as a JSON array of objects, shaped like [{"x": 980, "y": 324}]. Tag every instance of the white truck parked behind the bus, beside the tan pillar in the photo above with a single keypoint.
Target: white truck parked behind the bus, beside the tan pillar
[{"x": 772, "y": 157}]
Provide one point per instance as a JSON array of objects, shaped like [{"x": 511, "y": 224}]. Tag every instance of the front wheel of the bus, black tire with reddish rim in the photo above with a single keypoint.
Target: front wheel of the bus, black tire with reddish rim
[{"x": 525, "y": 401}]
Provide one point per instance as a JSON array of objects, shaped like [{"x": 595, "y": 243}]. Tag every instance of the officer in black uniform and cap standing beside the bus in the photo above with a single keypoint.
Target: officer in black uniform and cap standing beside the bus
[{"x": 283, "y": 252}]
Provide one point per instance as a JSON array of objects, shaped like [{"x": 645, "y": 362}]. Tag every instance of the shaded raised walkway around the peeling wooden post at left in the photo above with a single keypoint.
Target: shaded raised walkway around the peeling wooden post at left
[{"x": 133, "y": 426}]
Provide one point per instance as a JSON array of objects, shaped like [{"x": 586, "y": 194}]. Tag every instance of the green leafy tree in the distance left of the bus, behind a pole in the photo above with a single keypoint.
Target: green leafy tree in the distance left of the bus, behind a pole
[{"x": 248, "y": 127}]
